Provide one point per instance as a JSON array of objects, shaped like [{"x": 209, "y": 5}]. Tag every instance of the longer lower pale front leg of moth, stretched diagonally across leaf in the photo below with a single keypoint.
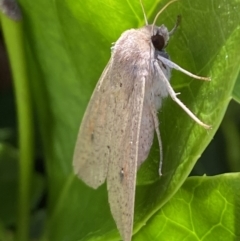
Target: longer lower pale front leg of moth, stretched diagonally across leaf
[{"x": 174, "y": 97}]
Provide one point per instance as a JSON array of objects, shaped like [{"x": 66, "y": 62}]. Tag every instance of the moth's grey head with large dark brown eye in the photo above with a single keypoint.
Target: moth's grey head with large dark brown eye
[{"x": 160, "y": 37}]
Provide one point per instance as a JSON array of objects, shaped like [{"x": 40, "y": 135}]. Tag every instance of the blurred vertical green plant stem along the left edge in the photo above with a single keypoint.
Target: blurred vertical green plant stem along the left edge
[{"x": 14, "y": 39}]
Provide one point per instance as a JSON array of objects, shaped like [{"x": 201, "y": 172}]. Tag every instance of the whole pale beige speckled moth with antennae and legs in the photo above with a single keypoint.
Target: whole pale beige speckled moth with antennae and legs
[{"x": 117, "y": 129}]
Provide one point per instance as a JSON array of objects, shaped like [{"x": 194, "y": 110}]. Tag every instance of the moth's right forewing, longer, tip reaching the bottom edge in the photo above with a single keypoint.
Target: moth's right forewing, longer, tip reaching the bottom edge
[{"x": 121, "y": 183}]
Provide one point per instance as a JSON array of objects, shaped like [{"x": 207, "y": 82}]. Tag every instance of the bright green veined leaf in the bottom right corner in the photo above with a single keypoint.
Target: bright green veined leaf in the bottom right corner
[{"x": 204, "y": 208}]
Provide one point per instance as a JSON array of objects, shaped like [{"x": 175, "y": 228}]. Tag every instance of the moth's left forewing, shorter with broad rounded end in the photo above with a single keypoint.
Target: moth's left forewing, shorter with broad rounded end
[{"x": 90, "y": 152}]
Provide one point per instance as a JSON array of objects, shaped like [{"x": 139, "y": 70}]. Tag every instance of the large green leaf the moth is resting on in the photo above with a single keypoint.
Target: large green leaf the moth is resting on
[{"x": 68, "y": 44}]
